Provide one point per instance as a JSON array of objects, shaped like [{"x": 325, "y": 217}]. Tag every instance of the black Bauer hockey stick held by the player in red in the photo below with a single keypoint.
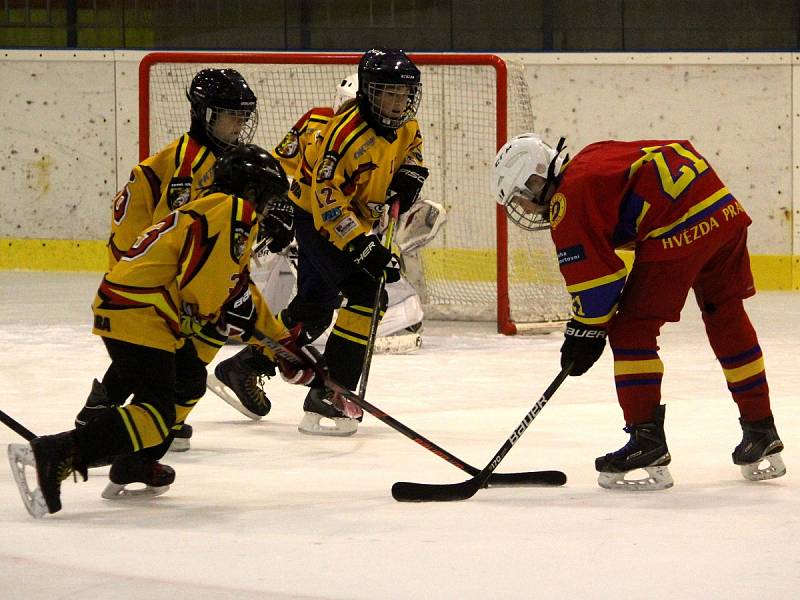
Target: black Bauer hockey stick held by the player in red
[{"x": 405, "y": 491}]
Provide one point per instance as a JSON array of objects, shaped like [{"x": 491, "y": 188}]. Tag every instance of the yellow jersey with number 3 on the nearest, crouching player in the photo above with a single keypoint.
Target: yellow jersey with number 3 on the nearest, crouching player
[{"x": 181, "y": 269}]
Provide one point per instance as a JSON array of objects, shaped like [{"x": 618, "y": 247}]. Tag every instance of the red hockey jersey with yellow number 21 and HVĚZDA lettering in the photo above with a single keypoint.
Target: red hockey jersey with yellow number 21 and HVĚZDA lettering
[{"x": 660, "y": 198}]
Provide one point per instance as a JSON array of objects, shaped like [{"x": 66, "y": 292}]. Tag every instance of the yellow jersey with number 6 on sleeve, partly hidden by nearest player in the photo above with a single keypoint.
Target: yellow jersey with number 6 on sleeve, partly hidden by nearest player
[{"x": 158, "y": 185}]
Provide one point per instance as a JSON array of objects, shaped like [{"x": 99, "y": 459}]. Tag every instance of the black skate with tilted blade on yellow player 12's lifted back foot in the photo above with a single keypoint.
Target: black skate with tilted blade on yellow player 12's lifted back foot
[{"x": 242, "y": 374}]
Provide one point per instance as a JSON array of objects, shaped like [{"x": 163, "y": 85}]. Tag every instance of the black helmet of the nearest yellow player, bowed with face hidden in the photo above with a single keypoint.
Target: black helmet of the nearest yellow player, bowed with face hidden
[{"x": 252, "y": 173}]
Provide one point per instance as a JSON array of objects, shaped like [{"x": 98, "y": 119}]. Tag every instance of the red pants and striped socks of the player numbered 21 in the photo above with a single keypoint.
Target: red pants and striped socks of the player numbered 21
[{"x": 655, "y": 293}]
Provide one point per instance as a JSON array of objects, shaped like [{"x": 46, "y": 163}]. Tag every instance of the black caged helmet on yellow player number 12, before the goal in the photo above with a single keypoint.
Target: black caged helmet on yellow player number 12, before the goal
[{"x": 389, "y": 88}]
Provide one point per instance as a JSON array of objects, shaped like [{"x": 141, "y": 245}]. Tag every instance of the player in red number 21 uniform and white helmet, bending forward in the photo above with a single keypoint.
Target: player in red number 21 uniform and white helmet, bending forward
[{"x": 662, "y": 199}]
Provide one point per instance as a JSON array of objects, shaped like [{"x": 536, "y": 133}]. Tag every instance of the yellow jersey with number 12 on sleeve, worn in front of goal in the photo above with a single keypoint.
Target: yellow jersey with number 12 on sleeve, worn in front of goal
[{"x": 353, "y": 170}]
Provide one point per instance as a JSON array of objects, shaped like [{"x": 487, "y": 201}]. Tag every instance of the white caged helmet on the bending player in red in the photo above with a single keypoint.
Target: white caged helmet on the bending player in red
[{"x": 524, "y": 170}]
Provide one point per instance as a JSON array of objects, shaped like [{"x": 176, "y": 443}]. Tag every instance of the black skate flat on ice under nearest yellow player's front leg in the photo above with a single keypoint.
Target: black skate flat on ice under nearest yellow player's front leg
[{"x": 135, "y": 468}]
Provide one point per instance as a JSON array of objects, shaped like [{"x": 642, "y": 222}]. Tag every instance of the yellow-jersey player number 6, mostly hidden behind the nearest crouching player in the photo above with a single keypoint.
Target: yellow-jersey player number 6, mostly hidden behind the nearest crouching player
[{"x": 223, "y": 111}]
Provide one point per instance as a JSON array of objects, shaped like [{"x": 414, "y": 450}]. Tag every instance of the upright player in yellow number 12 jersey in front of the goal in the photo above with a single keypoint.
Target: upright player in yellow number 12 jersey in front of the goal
[{"x": 369, "y": 156}]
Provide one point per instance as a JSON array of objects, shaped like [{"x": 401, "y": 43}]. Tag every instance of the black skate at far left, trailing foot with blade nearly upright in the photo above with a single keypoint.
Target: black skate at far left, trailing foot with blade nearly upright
[{"x": 54, "y": 457}]
